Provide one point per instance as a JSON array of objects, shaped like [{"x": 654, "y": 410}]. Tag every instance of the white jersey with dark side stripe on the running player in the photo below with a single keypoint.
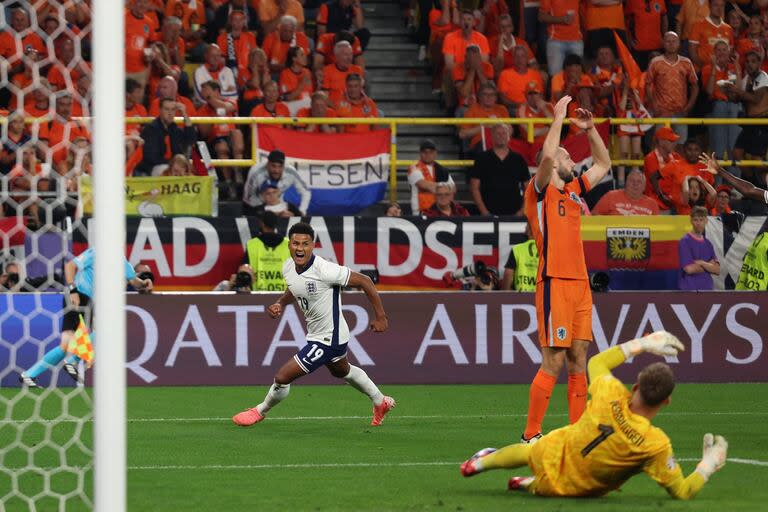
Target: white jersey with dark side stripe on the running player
[{"x": 318, "y": 293}]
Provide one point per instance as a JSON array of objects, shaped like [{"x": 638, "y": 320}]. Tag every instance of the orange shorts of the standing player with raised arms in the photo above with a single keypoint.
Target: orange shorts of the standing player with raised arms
[{"x": 563, "y": 311}]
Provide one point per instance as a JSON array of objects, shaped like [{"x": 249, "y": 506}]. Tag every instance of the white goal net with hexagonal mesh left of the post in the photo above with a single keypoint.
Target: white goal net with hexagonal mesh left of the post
[{"x": 46, "y": 433}]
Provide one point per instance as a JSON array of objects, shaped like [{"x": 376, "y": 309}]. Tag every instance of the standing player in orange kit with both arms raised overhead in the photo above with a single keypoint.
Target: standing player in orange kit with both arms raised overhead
[{"x": 553, "y": 205}]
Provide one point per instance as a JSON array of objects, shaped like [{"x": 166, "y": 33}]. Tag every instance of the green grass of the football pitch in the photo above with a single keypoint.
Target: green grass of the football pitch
[{"x": 316, "y": 451}]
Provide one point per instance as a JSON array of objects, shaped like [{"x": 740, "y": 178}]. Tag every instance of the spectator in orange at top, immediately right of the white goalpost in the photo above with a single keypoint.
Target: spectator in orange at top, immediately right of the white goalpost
[{"x": 139, "y": 30}]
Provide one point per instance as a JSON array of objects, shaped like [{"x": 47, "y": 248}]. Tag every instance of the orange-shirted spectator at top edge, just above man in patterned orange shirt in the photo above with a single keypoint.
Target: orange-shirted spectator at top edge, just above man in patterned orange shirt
[{"x": 647, "y": 20}]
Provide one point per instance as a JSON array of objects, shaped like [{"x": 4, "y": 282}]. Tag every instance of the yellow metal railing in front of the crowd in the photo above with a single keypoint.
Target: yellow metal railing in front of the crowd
[{"x": 394, "y": 122}]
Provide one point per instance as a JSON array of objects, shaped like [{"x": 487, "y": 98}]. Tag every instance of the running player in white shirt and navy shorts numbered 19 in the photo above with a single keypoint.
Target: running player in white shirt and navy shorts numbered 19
[{"x": 315, "y": 285}]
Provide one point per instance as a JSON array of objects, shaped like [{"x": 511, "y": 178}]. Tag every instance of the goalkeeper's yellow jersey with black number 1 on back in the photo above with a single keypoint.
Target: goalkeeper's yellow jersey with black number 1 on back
[{"x": 607, "y": 446}]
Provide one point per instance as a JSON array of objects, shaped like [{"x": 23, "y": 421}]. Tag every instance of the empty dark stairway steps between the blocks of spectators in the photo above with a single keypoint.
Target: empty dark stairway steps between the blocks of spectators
[{"x": 401, "y": 87}]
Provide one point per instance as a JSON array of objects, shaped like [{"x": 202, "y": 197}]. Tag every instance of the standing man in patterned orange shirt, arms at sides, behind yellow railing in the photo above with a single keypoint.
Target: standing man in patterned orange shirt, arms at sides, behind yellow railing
[{"x": 671, "y": 83}]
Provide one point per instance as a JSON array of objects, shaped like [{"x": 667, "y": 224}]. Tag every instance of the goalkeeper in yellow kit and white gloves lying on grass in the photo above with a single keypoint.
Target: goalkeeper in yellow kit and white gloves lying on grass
[{"x": 614, "y": 438}]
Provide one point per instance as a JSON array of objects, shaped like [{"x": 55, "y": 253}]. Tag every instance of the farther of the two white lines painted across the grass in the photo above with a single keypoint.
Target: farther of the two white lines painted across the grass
[{"x": 393, "y": 417}]
